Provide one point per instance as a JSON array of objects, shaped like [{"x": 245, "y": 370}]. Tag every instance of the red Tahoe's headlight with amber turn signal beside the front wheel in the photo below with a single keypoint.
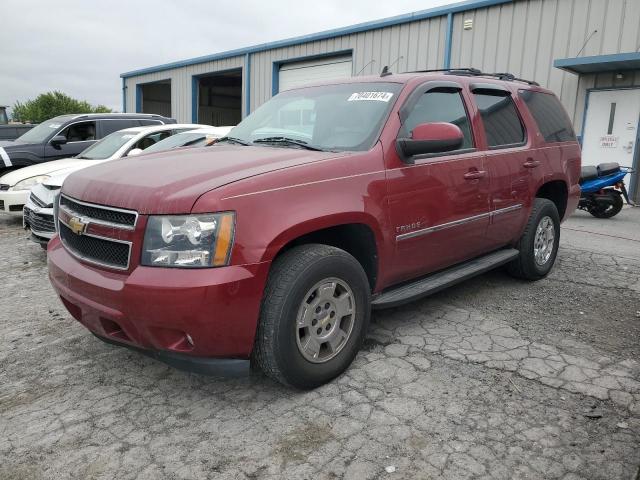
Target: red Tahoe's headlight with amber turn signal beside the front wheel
[{"x": 188, "y": 241}]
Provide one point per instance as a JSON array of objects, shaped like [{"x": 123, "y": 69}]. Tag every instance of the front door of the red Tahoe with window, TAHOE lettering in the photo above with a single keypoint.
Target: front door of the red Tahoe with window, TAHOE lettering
[{"x": 438, "y": 204}]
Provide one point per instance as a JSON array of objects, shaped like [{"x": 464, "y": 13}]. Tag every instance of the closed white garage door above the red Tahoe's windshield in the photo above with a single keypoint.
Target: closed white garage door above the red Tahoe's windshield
[{"x": 296, "y": 74}]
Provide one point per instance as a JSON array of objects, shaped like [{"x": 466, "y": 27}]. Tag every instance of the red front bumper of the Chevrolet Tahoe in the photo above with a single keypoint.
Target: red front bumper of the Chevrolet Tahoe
[{"x": 191, "y": 319}]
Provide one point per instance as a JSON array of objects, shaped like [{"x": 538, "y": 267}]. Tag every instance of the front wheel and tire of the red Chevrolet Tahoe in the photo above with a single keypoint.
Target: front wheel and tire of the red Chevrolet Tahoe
[{"x": 314, "y": 316}]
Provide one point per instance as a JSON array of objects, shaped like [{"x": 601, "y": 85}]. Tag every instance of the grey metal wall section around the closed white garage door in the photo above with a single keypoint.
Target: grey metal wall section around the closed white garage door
[{"x": 420, "y": 43}]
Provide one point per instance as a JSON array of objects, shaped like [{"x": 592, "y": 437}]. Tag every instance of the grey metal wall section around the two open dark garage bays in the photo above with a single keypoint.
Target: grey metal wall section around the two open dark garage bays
[{"x": 181, "y": 85}]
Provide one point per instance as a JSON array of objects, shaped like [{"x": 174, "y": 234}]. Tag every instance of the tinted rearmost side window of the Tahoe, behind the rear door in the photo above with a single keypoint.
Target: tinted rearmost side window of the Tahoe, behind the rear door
[{"x": 549, "y": 116}]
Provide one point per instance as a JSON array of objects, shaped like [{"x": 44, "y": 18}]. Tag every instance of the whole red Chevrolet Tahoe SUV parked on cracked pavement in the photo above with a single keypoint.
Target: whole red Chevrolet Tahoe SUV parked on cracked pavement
[{"x": 273, "y": 245}]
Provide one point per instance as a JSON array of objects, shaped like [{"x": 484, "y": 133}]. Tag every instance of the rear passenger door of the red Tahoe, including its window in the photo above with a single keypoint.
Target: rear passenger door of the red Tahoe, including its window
[{"x": 510, "y": 161}]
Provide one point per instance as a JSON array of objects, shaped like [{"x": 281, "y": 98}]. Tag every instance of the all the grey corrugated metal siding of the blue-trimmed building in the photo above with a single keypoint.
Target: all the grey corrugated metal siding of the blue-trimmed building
[{"x": 523, "y": 37}]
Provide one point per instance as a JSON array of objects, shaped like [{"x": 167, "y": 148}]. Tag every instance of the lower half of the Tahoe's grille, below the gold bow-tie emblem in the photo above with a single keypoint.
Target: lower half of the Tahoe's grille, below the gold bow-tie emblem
[{"x": 98, "y": 250}]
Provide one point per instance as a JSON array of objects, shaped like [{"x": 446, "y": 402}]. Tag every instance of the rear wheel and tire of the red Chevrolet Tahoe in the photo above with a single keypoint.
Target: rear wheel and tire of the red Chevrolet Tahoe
[{"x": 538, "y": 245}]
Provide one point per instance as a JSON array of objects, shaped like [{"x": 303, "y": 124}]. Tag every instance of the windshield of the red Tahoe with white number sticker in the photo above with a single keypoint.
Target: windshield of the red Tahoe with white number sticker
[{"x": 341, "y": 117}]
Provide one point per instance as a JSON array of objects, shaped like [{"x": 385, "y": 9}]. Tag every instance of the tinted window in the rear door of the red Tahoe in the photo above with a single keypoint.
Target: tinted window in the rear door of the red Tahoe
[{"x": 502, "y": 124}]
